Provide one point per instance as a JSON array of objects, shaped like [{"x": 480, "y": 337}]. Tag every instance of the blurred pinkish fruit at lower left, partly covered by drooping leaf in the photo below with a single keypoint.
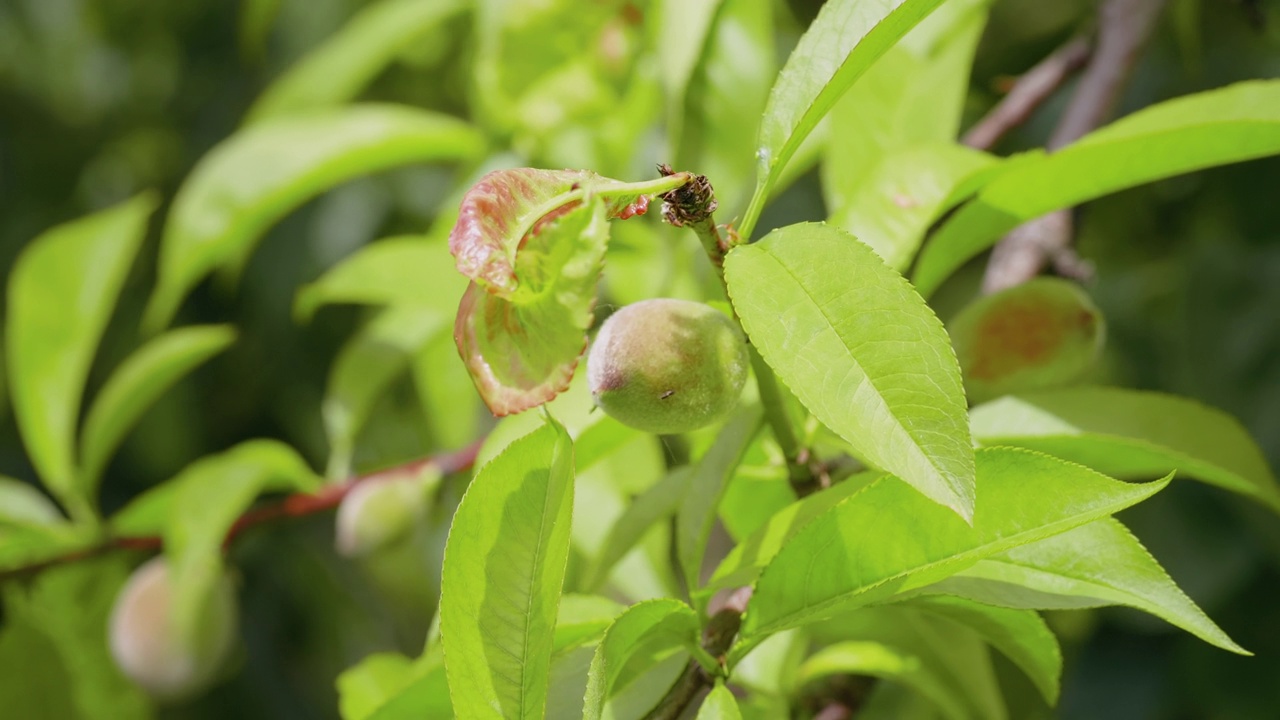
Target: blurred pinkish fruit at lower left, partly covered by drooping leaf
[{"x": 145, "y": 646}]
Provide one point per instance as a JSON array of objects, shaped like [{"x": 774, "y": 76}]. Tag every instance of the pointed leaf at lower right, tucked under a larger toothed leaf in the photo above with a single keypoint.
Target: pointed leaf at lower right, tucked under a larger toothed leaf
[{"x": 1090, "y": 567}]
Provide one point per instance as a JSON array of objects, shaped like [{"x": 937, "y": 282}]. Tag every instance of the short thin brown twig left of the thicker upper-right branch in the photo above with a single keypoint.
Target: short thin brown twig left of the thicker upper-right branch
[{"x": 1030, "y": 93}]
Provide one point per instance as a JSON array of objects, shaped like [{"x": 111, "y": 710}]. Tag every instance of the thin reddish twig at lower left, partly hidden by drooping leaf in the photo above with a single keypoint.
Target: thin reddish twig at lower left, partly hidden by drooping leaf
[{"x": 296, "y": 505}]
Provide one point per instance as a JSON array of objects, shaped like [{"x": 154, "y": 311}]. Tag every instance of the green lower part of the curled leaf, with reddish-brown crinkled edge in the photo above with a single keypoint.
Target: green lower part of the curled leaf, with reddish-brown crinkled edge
[{"x": 523, "y": 349}]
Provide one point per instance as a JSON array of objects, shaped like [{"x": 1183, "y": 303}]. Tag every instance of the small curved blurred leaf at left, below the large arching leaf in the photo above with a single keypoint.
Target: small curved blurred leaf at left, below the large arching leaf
[{"x": 143, "y": 379}]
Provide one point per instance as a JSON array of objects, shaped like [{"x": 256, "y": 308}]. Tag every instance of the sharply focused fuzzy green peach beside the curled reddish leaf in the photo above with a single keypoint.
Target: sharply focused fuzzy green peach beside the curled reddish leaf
[{"x": 668, "y": 366}]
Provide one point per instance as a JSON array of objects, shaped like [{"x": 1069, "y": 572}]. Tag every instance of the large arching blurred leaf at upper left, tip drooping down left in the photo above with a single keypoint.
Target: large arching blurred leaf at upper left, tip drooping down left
[{"x": 260, "y": 175}]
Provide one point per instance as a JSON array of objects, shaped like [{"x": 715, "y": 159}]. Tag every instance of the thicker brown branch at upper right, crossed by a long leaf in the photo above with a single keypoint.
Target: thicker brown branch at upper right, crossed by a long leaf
[{"x": 1123, "y": 31}]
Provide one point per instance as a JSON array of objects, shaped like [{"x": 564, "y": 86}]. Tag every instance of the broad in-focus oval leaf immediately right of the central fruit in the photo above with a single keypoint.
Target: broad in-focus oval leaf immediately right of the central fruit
[{"x": 865, "y": 354}]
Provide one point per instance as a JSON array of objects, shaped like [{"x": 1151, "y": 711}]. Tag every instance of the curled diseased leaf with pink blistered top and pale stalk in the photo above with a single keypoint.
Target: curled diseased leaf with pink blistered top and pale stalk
[{"x": 533, "y": 244}]
